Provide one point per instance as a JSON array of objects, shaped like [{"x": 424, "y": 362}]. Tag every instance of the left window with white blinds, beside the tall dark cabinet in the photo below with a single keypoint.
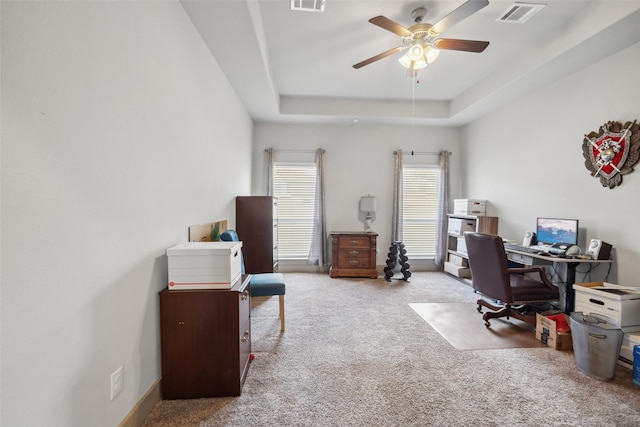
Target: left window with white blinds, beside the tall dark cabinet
[{"x": 294, "y": 185}]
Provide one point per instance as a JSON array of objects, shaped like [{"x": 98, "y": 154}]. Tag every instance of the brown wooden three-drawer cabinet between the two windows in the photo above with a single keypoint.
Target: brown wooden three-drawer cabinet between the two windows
[{"x": 353, "y": 254}]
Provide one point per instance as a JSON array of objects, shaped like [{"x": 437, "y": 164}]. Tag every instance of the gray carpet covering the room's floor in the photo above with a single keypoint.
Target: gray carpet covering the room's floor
[{"x": 355, "y": 353}]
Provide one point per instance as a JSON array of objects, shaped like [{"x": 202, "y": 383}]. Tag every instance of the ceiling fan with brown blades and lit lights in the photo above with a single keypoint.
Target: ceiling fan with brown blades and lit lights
[{"x": 423, "y": 41}]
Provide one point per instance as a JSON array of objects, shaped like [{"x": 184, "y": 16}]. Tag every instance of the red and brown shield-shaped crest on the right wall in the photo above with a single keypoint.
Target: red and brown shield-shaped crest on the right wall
[{"x": 612, "y": 151}]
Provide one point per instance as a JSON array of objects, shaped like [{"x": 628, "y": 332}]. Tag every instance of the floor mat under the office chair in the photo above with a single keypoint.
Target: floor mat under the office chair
[{"x": 462, "y": 326}]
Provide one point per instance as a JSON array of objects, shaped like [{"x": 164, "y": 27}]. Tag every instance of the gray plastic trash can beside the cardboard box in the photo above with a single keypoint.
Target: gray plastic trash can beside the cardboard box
[{"x": 596, "y": 345}]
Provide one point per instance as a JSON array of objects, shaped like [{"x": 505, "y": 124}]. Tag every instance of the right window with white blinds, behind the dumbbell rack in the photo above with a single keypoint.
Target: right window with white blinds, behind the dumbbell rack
[{"x": 420, "y": 210}]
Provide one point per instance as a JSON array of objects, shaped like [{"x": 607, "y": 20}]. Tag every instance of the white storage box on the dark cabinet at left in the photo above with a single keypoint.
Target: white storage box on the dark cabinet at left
[{"x": 204, "y": 265}]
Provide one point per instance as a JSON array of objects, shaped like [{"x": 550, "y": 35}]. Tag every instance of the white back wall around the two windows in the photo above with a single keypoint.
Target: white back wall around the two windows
[{"x": 359, "y": 161}]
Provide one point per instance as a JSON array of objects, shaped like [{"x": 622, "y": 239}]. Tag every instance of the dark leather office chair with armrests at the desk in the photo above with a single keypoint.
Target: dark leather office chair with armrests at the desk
[{"x": 516, "y": 293}]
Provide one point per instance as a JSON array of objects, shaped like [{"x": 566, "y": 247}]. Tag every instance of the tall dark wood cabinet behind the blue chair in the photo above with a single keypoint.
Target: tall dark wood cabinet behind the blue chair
[{"x": 257, "y": 227}]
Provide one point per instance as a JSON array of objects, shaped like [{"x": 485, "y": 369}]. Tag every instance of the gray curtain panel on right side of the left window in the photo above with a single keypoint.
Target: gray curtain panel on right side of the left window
[{"x": 318, "y": 253}]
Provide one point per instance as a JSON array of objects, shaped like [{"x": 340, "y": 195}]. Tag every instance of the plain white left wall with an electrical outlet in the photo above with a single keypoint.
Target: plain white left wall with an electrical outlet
[{"x": 118, "y": 132}]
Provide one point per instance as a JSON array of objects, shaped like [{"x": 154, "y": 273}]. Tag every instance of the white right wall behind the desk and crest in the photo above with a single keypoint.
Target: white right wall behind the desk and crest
[{"x": 541, "y": 137}]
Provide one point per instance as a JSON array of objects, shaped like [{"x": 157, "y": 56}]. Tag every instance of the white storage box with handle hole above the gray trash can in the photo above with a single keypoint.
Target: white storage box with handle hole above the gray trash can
[{"x": 618, "y": 303}]
